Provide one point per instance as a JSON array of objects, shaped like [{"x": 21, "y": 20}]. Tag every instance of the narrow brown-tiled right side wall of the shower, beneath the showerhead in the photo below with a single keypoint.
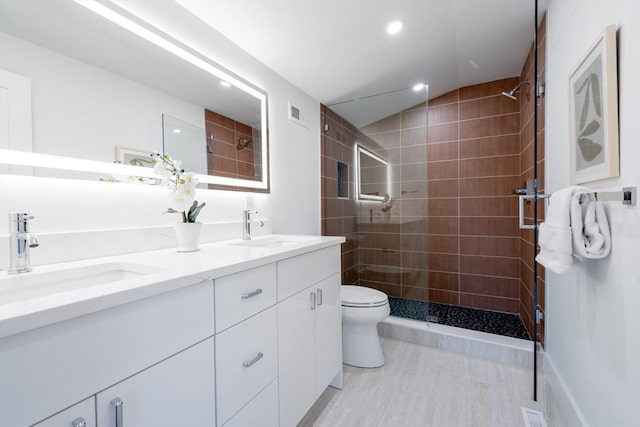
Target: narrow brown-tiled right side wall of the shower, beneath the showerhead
[{"x": 526, "y": 173}]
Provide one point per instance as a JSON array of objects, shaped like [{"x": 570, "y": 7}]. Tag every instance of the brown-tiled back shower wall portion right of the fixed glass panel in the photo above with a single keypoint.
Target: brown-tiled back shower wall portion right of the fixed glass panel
[{"x": 473, "y": 167}]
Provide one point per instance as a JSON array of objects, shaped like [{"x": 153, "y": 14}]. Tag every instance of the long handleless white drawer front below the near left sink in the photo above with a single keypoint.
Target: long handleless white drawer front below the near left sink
[{"x": 64, "y": 363}]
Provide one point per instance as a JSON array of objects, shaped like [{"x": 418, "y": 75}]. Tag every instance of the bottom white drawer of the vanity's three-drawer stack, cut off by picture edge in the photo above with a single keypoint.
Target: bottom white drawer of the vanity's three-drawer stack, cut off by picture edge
[{"x": 261, "y": 411}]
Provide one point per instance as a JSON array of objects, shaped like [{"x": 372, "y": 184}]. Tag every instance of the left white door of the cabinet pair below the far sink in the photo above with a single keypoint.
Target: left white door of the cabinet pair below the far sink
[{"x": 296, "y": 356}]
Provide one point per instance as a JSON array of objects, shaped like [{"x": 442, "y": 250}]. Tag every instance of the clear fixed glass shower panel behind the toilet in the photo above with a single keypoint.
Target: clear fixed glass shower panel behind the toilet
[{"x": 384, "y": 138}]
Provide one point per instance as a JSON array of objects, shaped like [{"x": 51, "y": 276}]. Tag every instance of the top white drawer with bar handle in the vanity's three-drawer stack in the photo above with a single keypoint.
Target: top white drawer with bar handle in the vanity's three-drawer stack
[{"x": 241, "y": 295}]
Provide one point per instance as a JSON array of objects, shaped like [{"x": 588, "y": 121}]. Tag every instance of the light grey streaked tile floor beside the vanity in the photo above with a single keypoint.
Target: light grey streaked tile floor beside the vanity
[{"x": 425, "y": 387}]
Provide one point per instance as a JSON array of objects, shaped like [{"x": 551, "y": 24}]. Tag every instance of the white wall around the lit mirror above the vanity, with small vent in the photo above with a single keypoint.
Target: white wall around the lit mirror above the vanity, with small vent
[{"x": 293, "y": 205}]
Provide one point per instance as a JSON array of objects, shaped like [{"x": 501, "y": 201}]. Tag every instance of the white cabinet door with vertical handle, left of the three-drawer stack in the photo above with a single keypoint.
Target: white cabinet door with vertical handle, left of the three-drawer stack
[{"x": 179, "y": 391}]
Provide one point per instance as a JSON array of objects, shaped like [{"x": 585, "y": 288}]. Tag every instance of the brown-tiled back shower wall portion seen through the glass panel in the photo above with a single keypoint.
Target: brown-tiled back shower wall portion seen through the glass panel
[{"x": 392, "y": 243}]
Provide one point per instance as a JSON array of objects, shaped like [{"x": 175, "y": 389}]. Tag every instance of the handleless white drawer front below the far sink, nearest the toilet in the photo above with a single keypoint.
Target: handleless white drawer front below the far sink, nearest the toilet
[{"x": 298, "y": 273}]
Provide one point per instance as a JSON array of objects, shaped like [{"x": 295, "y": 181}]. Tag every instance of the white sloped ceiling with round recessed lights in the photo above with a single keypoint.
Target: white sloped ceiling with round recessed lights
[{"x": 338, "y": 50}]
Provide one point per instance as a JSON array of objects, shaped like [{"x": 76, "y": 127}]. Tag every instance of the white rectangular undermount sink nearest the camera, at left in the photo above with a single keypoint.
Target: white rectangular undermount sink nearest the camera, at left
[{"x": 26, "y": 286}]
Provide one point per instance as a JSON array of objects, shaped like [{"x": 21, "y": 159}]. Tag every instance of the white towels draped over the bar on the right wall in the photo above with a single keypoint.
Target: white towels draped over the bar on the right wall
[{"x": 573, "y": 228}]
